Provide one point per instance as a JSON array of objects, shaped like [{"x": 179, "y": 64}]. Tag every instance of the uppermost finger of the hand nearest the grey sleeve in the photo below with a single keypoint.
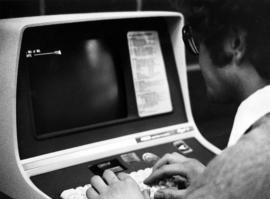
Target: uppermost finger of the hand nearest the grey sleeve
[{"x": 169, "y": 159}]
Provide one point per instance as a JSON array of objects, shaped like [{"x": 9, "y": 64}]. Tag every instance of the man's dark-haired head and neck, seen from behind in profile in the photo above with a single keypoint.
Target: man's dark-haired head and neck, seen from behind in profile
[{"x": 234, "y": 38}]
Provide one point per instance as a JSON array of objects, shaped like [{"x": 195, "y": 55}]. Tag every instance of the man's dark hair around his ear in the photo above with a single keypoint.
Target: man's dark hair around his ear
[{"x": 213, "y": 20}]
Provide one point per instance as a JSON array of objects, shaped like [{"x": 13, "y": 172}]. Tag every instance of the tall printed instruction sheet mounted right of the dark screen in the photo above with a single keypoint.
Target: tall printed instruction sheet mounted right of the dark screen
[{"x": 149, "y": 75}]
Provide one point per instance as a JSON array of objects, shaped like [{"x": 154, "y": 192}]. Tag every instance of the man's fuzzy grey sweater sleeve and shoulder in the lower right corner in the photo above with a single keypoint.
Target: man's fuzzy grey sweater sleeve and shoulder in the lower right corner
[{"x": 241, "y": 171}]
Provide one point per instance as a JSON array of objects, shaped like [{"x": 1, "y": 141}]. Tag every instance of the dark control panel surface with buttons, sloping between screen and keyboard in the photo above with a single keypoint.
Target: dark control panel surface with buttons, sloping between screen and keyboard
[{"x": 128, "y": 162}]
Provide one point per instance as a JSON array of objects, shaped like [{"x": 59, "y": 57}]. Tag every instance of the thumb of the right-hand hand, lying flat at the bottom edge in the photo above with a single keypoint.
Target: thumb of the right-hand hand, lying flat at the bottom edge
[{"x": 169, "y": 194}]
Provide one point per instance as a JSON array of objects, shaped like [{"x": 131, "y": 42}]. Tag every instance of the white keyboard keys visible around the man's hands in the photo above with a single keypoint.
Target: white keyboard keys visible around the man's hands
[{"x": 138, "y": 176}]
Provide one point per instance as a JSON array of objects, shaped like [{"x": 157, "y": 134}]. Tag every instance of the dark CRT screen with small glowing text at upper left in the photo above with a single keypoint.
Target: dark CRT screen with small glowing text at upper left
[{"x": 74, "y": 86}]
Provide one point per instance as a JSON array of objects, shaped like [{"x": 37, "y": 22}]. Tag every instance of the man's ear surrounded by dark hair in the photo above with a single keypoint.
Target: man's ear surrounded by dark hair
[{"x": 235, "y": 44}]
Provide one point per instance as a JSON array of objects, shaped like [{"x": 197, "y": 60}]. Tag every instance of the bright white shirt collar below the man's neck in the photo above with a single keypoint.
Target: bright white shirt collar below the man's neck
[{"x": 250, "y": 110}]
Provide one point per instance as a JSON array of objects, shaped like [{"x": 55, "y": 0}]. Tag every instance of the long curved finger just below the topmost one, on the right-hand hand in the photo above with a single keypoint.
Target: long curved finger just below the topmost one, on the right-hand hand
[{"x": 166, "y": 171}]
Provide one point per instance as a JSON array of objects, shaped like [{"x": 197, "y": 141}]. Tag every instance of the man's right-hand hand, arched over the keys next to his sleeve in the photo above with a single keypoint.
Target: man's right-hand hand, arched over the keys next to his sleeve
[{"x": 175, "y": 164}]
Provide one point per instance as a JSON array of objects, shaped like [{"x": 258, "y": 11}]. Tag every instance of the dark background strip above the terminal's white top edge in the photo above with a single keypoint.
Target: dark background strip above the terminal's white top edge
[{"x": 21, "y": 8}]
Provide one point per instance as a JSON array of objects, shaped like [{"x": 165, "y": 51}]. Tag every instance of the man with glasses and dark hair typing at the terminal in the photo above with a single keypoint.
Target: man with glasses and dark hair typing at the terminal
[{"x": 234, "y": 55}]
